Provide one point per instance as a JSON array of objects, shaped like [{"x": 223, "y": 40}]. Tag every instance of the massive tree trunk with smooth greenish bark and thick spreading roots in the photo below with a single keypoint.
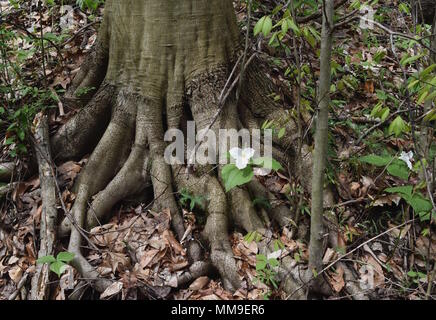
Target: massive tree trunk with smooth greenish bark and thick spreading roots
[{"x": 157, "y": 64}]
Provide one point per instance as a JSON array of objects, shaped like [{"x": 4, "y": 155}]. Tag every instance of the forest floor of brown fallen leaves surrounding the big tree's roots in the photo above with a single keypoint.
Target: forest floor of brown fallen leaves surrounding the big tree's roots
[{"x": 138, "y": 251}]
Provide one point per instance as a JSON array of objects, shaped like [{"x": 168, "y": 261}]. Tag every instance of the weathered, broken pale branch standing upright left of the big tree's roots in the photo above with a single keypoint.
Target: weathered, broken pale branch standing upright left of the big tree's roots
[{"x": 40, "y": 280}]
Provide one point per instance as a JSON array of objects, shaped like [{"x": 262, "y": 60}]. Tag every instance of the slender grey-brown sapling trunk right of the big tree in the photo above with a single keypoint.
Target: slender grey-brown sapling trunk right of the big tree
[{"x": 321, "y": 135}]
